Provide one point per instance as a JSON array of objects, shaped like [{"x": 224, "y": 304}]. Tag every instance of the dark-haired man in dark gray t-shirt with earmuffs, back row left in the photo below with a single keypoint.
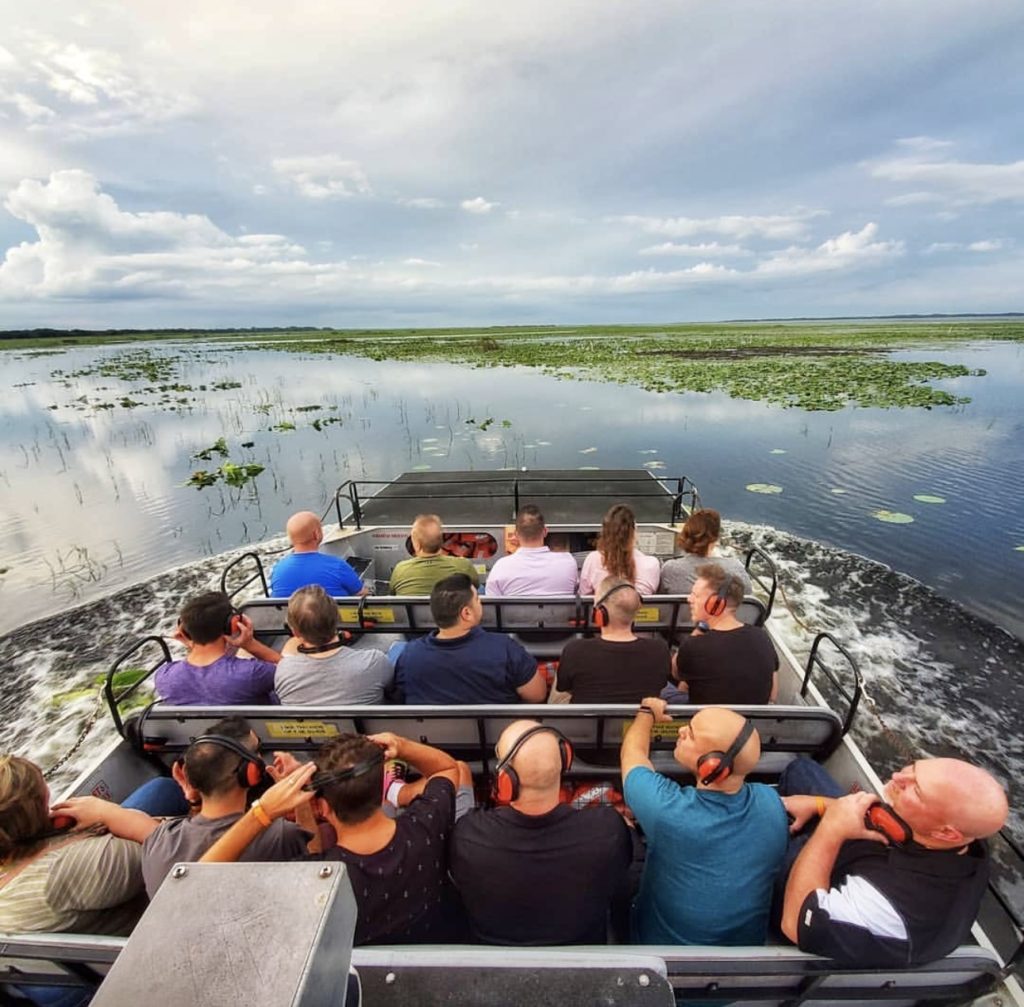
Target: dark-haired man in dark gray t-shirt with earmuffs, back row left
[{"x": 218, "y": 773}]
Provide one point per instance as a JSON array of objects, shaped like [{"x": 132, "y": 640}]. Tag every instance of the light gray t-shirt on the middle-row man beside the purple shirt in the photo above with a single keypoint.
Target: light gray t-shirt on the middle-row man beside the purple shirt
[{"x": 347, "y": 677}]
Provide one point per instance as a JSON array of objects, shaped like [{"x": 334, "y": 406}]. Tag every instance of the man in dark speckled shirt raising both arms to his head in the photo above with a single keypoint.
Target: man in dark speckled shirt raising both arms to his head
[{"x": 398, "y": 866}]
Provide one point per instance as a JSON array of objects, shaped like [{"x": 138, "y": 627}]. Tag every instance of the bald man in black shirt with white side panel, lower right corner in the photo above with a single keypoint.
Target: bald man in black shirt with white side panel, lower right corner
[{"x": 871, "y": 903}]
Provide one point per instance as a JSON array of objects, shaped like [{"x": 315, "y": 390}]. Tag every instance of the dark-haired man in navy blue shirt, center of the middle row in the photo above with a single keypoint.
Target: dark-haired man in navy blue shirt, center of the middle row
[{"x": 459, "y": 663}]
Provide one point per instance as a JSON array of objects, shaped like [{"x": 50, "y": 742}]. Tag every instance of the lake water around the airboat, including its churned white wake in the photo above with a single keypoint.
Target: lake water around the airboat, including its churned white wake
[{"x": 94, "y": 499}]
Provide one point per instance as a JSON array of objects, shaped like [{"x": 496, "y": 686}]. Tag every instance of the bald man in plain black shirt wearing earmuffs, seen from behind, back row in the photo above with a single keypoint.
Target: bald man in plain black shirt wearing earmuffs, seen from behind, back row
[{"x": 535, "y": 871}]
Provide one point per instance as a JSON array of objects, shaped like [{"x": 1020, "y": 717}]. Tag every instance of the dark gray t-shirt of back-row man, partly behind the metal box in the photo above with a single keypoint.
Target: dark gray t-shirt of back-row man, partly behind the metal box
[{"x": 186, "y": 841}]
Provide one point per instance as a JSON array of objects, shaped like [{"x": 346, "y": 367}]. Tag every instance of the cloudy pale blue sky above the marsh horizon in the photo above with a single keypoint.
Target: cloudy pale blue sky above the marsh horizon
[{"x": 398, "y": 163}]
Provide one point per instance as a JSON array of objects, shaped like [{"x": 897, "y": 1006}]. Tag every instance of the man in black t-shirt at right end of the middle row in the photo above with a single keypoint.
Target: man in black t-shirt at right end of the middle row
[{"x": 724, "y": 661}]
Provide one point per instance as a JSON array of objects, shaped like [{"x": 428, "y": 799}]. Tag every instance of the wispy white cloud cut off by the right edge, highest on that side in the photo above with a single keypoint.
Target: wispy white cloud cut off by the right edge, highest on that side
[{"x": 937, "y": 178}]
